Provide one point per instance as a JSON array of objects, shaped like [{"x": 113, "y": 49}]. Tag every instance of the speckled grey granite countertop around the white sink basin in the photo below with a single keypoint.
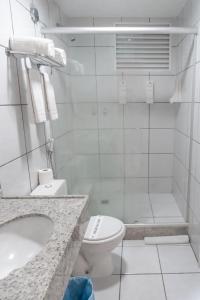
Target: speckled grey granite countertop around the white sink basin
[{"x": 34, "y": 280}]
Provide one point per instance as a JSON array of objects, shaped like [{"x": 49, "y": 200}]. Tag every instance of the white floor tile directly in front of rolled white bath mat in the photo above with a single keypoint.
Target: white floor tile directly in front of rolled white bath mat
[{"x": 178, "y": 259}]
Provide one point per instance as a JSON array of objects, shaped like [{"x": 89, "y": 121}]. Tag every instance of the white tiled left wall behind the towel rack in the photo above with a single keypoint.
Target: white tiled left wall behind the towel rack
[{"x": 22, "y": 142}]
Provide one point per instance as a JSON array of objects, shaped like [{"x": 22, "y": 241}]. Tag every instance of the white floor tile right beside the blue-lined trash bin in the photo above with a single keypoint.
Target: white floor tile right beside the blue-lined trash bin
[{"x": 107, "y": 288}]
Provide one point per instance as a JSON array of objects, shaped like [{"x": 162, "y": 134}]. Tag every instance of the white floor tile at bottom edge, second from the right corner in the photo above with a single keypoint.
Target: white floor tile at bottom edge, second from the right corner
[{"x": 142, "y": 287}]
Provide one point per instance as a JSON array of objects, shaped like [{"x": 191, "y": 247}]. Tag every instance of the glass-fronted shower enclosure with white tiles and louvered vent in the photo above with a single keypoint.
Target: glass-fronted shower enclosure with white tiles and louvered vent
[{"x": 130, "y": 156}]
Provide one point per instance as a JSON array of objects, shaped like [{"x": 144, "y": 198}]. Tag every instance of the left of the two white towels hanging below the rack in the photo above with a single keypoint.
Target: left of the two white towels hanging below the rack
[{"x": 37, "y": 95}]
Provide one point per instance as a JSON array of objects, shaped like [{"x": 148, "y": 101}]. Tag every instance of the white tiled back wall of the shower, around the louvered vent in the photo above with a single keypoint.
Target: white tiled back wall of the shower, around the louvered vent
[{"x": 125, "y": 150}]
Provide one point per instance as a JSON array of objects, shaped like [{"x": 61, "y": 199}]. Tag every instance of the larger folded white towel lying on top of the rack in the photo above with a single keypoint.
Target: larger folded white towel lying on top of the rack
[{"x": 33, "y": 45}]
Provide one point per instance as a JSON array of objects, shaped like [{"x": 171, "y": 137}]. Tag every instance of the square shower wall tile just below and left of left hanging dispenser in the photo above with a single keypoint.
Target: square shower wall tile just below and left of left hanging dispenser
[{"x": 110, "y": 115}]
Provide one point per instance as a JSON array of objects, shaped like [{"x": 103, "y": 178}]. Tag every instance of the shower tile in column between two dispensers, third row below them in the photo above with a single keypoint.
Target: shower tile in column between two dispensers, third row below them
[{"x": 136, "y": 165}]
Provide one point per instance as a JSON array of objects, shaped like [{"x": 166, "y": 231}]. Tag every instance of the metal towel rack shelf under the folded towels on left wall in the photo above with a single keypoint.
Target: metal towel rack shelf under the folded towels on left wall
[{"x": 36, "y": 59}]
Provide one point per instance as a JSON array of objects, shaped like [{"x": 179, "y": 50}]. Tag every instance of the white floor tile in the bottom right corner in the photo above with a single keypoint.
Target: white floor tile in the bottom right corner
[{"x": 182, "y": 286}]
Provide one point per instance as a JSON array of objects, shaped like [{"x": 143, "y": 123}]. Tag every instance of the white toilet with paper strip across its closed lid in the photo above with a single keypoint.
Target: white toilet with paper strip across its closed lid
[{"x": 103, "y": 234}]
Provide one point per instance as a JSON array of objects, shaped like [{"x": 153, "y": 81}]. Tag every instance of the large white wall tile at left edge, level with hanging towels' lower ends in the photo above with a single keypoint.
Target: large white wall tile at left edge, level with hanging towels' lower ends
[{"x": 12, "y": 143}]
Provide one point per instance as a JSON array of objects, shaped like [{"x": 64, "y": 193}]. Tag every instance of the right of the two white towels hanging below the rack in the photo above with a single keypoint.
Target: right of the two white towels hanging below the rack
[{"x": 50, "y": 97}]
